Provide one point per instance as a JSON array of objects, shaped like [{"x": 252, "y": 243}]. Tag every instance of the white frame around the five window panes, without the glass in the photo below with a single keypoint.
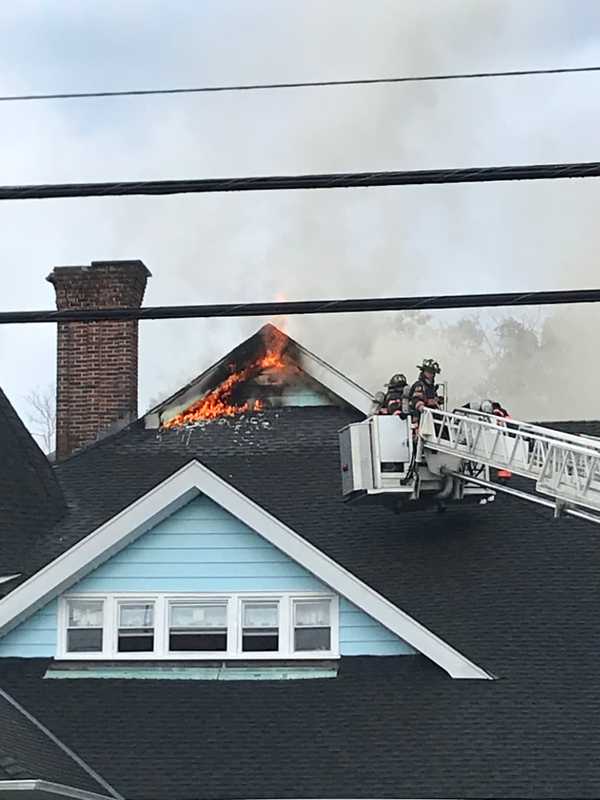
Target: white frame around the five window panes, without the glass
[{"x": 161, "y": 602}]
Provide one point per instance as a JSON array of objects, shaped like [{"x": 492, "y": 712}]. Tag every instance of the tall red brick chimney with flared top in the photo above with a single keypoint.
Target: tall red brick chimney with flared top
[{"x": 97, "y": 362}]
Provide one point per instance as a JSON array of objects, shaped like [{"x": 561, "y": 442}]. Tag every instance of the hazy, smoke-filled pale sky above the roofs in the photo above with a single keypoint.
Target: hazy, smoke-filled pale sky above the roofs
[{"x": 311, "y": 244}]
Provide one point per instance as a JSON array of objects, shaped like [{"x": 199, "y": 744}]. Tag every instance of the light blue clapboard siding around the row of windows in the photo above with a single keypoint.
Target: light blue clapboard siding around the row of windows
[{"x": 202, "y": 548}]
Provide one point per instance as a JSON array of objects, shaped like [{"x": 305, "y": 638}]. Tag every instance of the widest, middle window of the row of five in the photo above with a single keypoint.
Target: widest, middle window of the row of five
[{"x": 200, "y": 627}]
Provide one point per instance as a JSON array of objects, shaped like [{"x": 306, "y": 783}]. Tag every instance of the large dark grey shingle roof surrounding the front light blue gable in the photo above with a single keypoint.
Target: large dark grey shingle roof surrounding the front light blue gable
[{"x": 513, "y": 589}]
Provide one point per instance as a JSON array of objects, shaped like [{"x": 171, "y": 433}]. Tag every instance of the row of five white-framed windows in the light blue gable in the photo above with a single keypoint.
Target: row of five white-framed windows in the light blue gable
[{"x": 199, "y": 626}]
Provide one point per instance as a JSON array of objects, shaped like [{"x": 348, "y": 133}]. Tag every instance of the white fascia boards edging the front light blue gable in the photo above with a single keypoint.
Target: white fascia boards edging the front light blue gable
[{"x": 179, "y": 488}]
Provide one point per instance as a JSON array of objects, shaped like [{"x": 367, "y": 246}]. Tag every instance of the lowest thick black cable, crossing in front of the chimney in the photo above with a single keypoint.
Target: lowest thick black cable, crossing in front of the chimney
[{"x": 293, "y": 307}]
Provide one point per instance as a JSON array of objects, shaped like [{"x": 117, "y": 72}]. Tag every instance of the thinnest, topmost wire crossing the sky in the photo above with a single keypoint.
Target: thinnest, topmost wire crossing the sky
[{"x": 251, "y": 87}]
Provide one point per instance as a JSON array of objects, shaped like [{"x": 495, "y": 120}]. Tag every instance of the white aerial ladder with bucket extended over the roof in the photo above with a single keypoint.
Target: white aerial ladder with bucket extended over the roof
[{"x": 452, "y": 455}]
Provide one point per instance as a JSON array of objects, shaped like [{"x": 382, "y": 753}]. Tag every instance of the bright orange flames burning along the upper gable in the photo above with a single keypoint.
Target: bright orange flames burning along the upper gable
[{"x": 218, "y": 402}]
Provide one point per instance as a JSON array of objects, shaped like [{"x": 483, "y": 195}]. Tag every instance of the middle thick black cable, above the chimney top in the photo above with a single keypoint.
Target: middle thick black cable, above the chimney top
[{"x": 337, "y": 180}]
